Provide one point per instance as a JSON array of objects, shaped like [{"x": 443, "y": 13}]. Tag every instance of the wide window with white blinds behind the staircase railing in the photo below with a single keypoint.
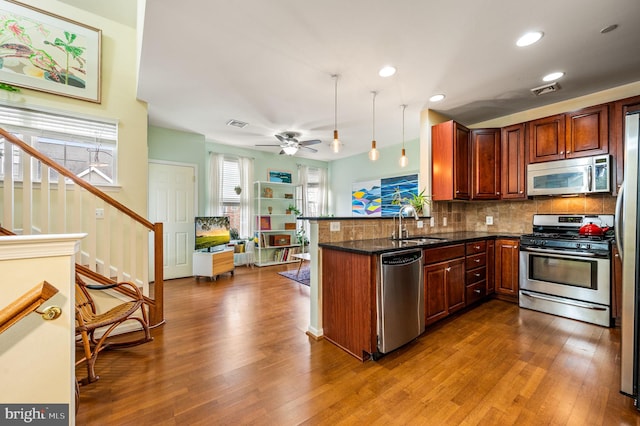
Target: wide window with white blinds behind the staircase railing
[{"x": 86, "y": 147}]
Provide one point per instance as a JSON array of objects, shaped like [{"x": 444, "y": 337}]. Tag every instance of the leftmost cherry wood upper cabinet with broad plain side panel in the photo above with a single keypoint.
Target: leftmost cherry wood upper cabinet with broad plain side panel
[{"x": 451, "y": 161}]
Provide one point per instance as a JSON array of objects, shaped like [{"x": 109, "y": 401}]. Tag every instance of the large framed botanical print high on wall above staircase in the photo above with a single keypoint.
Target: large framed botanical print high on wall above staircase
[{"x": 50, "y": 53}]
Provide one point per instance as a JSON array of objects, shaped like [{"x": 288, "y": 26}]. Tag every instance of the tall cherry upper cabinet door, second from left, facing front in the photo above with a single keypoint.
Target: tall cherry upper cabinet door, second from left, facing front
[{"x": 485, "y": 160}]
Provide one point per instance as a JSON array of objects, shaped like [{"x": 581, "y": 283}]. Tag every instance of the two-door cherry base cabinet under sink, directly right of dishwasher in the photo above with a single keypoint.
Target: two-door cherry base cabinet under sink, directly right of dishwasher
[{"x": 444, "y": 281}]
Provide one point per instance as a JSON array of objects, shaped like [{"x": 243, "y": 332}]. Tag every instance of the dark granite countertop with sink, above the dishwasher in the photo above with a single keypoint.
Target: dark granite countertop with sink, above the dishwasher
[{"x": 382, "y": 245}]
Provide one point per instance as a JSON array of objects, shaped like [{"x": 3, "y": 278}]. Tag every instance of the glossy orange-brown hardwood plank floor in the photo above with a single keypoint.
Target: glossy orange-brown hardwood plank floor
[{"x": 234, "y": 351}]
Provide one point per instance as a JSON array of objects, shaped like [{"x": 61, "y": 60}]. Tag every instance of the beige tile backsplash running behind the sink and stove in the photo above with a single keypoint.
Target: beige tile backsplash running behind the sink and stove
[{"x": 508, "y": 217}]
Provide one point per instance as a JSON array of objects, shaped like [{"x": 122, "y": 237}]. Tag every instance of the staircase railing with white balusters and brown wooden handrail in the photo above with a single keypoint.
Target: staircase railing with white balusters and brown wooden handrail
[{"x": 119, "y": 241}]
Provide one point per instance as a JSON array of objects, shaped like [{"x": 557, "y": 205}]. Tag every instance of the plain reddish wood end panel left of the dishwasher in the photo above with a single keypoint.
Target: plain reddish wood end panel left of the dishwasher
[{"x": 348, "y": 301}]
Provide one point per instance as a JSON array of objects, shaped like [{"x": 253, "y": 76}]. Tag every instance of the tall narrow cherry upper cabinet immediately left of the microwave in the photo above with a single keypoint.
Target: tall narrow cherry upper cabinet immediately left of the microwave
[{"x": 513, "y": 162}]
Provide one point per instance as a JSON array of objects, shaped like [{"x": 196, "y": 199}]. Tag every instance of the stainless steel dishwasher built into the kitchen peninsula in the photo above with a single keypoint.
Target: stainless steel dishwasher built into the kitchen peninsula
[{"x": 400, "y": 299}]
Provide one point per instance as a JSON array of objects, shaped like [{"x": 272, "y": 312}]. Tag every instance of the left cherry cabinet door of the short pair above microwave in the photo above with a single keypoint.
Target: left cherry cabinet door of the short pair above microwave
[{"x": 546, "y": 139}]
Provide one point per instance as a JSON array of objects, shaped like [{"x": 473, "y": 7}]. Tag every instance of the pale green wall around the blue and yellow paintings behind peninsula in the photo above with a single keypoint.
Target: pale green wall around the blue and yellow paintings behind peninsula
[{"x": 357, "y": 168}]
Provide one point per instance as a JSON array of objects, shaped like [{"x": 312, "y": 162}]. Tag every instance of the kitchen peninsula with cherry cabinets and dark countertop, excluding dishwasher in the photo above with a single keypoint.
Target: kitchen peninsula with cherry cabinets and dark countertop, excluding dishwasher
[{"x": 343, "y": 276}]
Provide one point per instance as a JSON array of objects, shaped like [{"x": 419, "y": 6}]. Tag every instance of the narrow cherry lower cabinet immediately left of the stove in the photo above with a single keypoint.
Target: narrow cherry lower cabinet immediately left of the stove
[{"x": 507, "y": 252}]
